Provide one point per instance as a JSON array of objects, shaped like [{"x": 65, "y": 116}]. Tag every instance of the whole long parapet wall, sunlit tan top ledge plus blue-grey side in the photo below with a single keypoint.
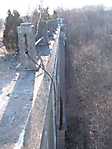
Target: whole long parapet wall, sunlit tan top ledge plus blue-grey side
[{"x": 45, "y": 125}]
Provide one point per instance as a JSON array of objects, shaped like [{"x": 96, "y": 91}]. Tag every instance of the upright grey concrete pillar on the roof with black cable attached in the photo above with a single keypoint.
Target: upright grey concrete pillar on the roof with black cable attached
[{"x": 28, "y": 30}]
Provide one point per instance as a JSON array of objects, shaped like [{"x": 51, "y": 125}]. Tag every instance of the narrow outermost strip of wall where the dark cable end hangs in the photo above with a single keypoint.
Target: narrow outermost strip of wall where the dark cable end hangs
[{"x": 61, "y": 121}]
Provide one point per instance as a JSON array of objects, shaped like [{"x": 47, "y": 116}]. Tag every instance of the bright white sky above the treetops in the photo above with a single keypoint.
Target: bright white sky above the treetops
[{"x": 26, "y": 6}]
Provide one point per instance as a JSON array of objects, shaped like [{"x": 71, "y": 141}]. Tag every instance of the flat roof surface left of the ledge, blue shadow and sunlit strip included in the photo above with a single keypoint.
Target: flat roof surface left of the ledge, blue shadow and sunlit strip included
[{"x": 16, "y": 94}]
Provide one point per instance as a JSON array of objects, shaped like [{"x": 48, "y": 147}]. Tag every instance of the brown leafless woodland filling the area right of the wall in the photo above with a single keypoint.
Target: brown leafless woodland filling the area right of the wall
[{"x": 90, "y": 91}]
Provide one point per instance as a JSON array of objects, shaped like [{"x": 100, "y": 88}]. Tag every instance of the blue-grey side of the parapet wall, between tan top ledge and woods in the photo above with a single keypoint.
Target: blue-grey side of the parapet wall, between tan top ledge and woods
[{"x": 54, "y": 132}]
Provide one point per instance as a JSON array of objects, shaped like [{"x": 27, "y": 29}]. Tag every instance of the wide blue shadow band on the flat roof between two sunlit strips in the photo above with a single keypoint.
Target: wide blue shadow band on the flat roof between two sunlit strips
[{"x": 17, "y": 109}]
